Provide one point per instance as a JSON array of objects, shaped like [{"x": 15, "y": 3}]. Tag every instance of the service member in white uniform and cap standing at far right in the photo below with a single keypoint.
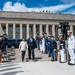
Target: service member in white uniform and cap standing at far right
[{"x": 71, "y": 47}]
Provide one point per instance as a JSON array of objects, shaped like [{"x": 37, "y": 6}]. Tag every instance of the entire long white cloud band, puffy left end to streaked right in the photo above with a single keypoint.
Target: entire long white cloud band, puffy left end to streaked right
[{"x": 22, "y": 8}]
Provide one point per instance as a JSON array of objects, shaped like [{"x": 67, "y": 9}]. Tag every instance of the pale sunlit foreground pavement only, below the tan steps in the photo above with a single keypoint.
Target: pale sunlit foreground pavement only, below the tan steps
[{"x": 36, "y": 68}]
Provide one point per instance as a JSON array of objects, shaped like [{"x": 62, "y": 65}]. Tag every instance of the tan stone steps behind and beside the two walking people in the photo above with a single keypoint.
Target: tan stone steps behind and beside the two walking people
[{"x": 38, "y": 56}]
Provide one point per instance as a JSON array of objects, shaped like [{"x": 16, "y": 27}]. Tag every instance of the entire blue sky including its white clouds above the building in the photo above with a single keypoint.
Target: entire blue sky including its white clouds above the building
[{"x": 54, "y": 6}]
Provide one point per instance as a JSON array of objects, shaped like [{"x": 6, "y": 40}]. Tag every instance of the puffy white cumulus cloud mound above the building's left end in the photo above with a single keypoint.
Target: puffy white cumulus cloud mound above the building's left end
[{"x": 16, "y": 7}]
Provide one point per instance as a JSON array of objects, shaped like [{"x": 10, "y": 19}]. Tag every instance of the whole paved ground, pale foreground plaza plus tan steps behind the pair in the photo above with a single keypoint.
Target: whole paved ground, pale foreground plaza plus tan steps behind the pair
[{"x": 43, "y": 66}]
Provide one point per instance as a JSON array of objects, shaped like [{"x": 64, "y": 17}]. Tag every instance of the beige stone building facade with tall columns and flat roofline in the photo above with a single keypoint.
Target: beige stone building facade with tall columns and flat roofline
[{"x": 21, "y": 24}]
